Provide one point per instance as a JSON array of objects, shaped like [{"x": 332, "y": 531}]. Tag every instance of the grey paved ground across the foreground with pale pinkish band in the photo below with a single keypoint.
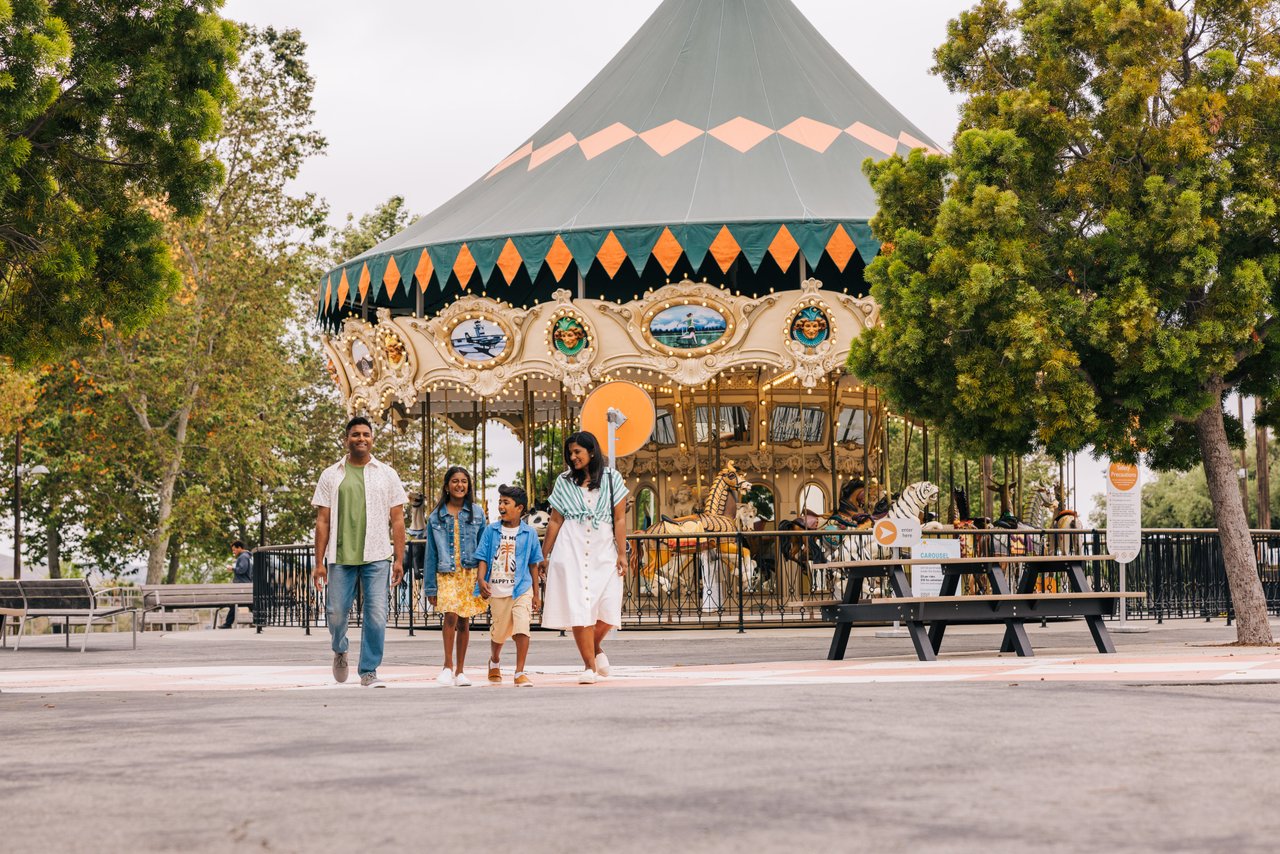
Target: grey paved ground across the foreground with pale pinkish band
[{"x": 705, "y": 742}]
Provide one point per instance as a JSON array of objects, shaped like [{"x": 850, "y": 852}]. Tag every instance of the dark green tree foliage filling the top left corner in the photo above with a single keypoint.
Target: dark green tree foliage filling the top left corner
[{"x": 103, "y": 107}]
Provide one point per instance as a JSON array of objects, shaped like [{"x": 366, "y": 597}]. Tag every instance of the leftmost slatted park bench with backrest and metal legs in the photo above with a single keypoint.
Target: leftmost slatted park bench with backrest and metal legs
[{"x": 72, "y": 600}]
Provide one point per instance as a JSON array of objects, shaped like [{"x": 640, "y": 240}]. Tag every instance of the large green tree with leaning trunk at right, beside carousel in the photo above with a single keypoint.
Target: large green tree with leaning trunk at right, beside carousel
[{"x": 1098, "y": 261}]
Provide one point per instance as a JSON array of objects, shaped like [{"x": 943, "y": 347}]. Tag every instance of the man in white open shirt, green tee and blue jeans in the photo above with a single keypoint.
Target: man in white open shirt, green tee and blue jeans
[{"x": 360, "y": 537}]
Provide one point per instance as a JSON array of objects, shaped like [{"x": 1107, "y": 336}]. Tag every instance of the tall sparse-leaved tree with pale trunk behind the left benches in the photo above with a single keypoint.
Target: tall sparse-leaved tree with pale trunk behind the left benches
[{"x": 190, "y": 419}]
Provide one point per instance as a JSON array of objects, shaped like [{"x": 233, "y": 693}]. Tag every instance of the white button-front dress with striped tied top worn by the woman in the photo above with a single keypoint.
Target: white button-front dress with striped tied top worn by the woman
[{"x": 583, "y": 582}]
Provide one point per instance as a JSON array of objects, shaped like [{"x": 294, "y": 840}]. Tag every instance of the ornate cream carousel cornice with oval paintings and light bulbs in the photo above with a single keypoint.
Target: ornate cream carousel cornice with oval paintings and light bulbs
[{"x": 682, "y": 335}]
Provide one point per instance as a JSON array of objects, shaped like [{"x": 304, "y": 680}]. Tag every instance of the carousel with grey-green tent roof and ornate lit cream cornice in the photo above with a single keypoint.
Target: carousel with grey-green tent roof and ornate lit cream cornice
[{"x": 696, "y": 222}]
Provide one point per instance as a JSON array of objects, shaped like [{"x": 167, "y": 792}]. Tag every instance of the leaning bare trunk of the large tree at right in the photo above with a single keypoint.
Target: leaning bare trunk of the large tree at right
[{"x": 1233, "y": 529}]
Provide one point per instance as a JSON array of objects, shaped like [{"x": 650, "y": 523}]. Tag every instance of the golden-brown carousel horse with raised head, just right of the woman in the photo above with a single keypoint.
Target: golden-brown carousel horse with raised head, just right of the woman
[{"x": 684, "y": 537}]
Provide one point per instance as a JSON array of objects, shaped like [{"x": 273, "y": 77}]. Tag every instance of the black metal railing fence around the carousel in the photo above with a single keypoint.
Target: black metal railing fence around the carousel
[{"x": 760, "y": 578}]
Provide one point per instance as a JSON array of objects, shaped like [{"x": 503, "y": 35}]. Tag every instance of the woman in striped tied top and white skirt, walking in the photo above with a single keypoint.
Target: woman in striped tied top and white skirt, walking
[{"x": 586, "y": 552}]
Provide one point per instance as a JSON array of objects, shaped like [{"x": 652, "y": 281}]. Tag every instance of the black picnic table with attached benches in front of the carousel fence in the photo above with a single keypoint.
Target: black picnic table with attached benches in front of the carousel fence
[{"x": 1011, "y": 608}]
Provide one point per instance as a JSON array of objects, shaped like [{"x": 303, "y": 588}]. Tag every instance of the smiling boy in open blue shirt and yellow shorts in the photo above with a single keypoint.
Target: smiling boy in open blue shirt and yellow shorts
[{"x": 506, "y": 556}]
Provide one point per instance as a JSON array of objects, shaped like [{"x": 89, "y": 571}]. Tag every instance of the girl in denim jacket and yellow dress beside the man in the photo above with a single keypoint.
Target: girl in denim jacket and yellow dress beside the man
[{"x": 450, "y": 572}]
